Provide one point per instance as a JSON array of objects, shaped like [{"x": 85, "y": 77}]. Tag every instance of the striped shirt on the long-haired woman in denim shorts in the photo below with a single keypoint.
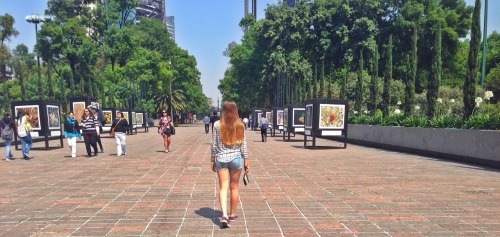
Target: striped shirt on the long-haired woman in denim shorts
[{"x": 226, "y": 153}]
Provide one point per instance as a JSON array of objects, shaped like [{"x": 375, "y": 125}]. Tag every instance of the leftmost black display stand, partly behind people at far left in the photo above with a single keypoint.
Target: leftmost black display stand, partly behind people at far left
[{"x": 45, "y": 120}]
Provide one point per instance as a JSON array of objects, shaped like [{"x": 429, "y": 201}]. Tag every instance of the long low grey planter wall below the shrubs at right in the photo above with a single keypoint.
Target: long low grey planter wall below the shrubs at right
[{"x": 469, "y": 145}]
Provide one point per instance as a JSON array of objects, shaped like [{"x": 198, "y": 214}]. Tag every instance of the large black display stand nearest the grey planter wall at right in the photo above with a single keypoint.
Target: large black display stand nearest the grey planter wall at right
[{"x": 325, "y": 118}]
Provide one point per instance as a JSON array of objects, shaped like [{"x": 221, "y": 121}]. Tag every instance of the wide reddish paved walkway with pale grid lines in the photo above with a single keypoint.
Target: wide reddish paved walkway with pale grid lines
[{"x": 293, "y": 191}]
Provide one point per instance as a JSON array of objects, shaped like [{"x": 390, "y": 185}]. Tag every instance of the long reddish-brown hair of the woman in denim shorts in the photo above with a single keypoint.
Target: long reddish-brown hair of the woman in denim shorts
[{"x": 231, "y": 127}]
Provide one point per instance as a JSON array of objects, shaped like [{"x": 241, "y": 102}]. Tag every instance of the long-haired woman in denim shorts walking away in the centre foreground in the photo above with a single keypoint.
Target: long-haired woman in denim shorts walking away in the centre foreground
[{"x": 229, "y": 156}]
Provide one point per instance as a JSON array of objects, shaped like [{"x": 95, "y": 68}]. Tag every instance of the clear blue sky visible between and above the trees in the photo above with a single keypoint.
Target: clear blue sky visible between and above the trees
[{"x": 202, "y": 27}]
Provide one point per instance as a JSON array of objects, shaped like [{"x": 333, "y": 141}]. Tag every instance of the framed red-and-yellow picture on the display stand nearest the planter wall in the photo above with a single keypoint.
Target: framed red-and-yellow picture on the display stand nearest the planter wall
[{"x": 331, "y": 116}]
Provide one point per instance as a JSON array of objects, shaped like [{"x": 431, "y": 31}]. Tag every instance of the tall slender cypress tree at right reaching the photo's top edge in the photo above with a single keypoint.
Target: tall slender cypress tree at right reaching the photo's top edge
[{"x": 472, "y": 65}]
